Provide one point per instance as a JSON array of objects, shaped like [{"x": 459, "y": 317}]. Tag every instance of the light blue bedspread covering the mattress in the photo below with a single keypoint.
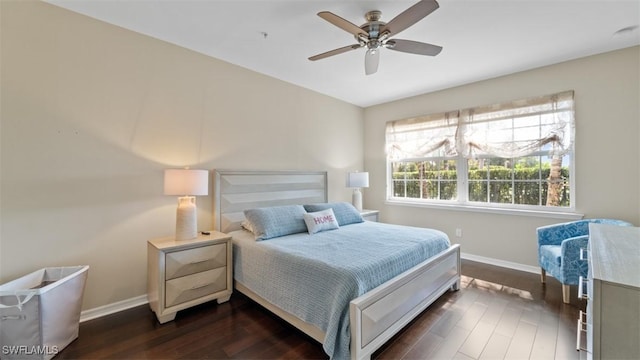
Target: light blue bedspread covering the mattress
[{"x": 314, "y": 277}]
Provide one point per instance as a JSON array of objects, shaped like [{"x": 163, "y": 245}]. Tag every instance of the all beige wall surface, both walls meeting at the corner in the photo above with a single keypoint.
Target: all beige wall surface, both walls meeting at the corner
[{"x": 91, "y": 114}]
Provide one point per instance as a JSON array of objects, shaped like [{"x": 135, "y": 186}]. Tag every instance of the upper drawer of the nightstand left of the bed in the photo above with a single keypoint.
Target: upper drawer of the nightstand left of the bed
[{"x": 186, "y": 262}]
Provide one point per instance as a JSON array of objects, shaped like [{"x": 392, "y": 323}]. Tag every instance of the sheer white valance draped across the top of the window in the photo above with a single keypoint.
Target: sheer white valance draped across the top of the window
[{"x": 512, "y": 129}]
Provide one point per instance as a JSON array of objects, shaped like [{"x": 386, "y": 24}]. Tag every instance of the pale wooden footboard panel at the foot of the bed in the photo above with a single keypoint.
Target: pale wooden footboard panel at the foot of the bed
[{"x": 379, "y": 314}]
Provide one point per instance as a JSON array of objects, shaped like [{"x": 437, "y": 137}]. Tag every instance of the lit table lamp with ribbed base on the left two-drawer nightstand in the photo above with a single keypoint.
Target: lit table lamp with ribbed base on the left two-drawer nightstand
[{"x": 186, "y": 183}]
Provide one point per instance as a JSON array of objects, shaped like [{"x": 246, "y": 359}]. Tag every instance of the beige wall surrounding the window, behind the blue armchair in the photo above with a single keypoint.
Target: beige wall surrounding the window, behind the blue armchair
[{"x": 607, "y": 150}]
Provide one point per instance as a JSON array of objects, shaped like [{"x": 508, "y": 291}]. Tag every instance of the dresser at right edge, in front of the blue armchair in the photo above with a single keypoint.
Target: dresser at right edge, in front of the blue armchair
[{"x": 612, "y": 319}]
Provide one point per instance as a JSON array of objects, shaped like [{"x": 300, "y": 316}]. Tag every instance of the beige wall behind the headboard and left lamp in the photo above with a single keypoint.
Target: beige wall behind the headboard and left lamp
[{"x": 92, "y": 114}]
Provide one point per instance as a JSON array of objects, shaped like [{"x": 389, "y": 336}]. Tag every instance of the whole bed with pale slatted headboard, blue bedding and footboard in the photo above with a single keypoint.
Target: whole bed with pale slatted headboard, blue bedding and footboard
[{"x": 353, "y": 314}]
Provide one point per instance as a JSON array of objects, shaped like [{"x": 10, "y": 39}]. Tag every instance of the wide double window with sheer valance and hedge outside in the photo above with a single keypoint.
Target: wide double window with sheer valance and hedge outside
[{"x": 514, "y": 155}]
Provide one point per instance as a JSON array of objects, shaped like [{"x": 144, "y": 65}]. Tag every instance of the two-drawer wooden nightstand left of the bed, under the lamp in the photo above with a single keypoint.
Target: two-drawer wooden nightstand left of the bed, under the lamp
[{"x": 185, "y": 273}]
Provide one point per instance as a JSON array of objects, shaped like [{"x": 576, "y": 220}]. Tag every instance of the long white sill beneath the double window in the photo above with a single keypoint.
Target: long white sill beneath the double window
[{"x": 490, "y": 210}]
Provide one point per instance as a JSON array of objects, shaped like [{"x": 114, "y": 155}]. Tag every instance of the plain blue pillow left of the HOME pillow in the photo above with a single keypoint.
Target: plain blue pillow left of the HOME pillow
[{"x": 276, "y": 221}]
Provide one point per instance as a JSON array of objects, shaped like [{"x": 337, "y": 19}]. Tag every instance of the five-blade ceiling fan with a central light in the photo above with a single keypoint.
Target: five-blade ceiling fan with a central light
[{"x": 375, "y": 34}]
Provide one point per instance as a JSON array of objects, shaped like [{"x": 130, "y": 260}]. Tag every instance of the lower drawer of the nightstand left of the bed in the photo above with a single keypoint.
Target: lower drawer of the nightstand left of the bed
[{"x": 194, "y": 286}]
